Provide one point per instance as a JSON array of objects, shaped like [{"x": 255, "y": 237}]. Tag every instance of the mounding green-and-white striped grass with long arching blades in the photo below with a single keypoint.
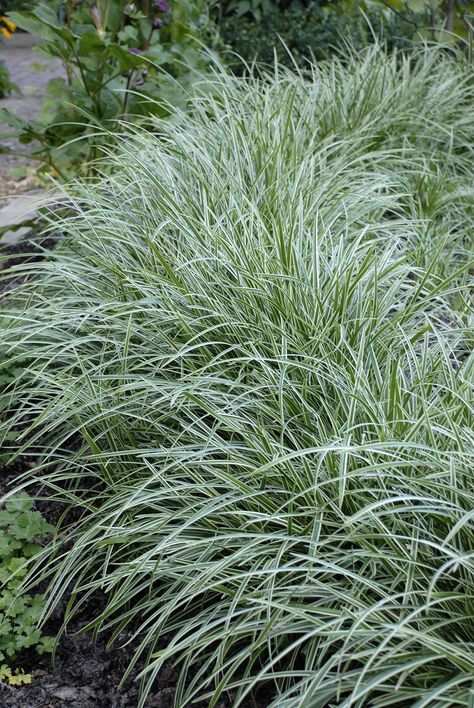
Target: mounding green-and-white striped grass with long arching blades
[{"x": 258, "y": 337}]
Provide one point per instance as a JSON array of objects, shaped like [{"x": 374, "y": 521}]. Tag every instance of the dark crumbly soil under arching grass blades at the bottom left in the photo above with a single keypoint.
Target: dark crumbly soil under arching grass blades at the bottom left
[{"x": 86, "y": 674}]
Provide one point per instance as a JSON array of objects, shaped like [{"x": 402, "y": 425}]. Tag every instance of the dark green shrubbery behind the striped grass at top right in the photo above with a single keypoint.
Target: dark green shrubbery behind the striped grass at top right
[{"x": 255, "y": 28}]
